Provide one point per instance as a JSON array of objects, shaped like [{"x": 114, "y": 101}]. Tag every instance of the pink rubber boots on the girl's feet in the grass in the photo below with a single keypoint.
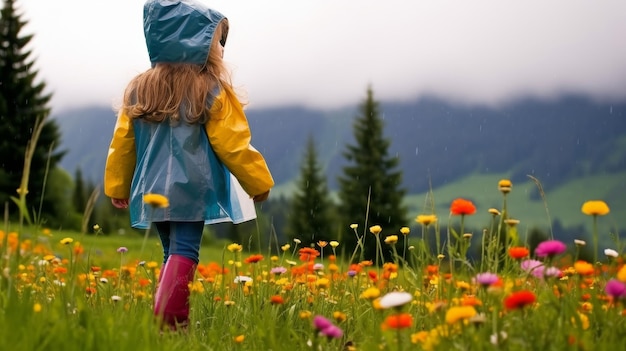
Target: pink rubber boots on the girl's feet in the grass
[{"x": 171, "y": 300}]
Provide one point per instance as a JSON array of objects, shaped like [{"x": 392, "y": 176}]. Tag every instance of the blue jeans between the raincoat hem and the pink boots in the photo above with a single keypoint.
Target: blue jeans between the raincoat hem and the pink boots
[{"x": 180, "y": 238}]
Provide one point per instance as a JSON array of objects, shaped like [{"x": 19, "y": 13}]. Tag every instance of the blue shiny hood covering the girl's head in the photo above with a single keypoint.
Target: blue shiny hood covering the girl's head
[{"x": 180, "y": 31}]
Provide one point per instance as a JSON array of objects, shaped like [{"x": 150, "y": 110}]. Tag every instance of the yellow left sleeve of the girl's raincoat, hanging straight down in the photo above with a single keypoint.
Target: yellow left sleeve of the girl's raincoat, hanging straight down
[{"x": 120, "y": 164}]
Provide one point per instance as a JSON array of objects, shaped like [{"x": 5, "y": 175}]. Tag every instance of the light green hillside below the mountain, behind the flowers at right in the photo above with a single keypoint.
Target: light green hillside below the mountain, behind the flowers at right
[{"x": 563, "y": 203}]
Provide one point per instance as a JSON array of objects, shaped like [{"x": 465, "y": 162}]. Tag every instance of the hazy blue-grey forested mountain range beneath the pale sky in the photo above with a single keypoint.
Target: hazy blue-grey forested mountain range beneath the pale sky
[{"x": 436, "y": 141}]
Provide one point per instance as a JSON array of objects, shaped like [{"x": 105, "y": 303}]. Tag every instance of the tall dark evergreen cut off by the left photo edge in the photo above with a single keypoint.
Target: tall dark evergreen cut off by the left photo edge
[{"x": 22, "y": 103}]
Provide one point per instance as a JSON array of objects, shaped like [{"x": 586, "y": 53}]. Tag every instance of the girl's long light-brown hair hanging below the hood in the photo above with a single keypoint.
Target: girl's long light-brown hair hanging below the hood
[{"x": 178, "y": 90}]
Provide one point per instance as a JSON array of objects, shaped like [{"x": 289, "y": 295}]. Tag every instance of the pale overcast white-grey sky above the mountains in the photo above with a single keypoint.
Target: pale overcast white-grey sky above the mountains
[{"x": 324, "y": 53}]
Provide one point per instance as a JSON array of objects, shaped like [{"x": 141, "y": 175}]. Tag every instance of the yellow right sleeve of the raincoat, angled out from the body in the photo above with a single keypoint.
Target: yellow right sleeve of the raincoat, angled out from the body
[{"x": 229, "y": 135}]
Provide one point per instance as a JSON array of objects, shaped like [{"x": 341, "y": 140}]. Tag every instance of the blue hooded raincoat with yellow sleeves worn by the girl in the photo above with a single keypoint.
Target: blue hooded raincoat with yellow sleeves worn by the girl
[{"x": 199, "y": 168}]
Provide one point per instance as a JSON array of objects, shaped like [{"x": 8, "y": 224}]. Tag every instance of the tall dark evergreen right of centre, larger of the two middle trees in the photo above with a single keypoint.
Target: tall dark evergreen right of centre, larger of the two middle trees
[{"x": 370, "y": 190}]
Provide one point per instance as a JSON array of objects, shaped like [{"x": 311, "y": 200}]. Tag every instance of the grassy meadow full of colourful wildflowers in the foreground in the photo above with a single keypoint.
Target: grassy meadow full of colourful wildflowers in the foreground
[{"x": 56, "y": 293}]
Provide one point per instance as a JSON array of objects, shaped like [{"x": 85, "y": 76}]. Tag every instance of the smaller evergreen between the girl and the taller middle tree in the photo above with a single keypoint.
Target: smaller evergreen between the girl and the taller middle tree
[{"x": 310, "y": 212}]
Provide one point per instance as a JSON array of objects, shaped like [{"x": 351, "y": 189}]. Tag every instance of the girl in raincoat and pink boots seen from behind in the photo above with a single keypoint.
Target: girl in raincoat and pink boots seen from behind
[{"x": 181, "y": 133}]
